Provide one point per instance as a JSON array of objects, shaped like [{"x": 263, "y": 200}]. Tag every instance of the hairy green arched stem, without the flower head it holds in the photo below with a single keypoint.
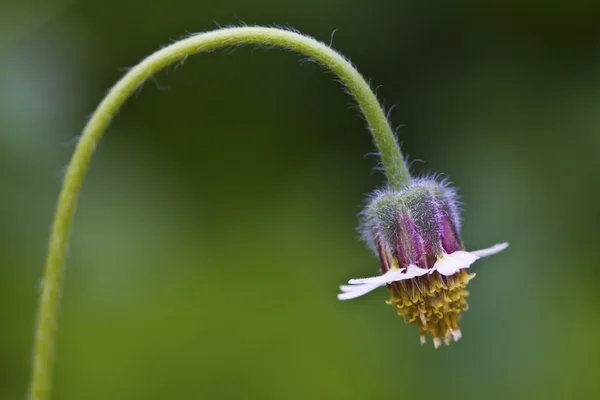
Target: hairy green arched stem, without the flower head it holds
[{"x": 391, "y": 158}]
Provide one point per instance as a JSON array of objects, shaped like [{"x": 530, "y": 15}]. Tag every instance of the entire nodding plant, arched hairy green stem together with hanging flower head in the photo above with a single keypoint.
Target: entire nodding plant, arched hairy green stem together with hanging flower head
[{"x": 413, "y": 225}]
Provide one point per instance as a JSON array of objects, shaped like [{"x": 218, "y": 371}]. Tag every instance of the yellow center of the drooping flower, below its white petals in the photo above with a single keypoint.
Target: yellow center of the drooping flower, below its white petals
[{"x": 433, "y": 302}]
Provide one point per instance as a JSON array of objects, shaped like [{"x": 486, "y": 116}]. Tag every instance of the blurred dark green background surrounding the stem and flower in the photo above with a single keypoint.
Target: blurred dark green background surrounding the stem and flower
[{"x": 219, "y": 215}]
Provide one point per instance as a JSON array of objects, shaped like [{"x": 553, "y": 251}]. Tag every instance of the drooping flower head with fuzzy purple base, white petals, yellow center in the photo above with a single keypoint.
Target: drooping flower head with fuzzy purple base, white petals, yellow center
[{"x": 415, "y": 233}]
